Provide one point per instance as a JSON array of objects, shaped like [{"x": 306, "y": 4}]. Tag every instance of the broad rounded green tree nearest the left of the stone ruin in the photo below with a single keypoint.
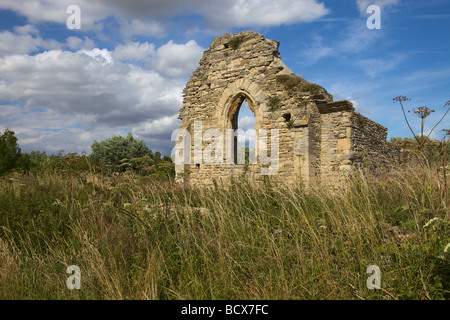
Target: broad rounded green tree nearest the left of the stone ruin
[{"x": 111, "y": 151}]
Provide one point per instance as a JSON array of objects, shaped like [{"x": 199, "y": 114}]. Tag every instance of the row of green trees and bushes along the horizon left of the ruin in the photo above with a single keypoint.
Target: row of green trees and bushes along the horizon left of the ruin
[{"x": 115, "y": 155}]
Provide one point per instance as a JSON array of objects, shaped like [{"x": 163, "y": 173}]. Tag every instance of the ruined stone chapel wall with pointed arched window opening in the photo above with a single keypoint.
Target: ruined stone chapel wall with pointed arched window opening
[{"x": 319, "y": 140}]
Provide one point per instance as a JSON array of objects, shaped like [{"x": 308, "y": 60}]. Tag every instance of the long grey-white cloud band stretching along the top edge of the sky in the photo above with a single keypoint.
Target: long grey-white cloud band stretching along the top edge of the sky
[{"x": 217, "y": 14}]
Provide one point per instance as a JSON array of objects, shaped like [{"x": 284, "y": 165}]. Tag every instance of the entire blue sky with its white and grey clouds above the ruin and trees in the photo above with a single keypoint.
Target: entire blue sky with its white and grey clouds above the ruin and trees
[{"x": 125, "y": 68}]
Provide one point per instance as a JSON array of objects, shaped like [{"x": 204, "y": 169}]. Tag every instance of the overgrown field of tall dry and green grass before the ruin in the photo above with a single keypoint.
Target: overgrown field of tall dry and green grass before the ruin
[{"x": 137, "y": 237}]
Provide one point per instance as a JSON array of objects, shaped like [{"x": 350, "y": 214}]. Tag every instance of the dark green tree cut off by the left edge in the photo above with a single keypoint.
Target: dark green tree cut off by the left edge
[{"x": 9, "y": 152}]
